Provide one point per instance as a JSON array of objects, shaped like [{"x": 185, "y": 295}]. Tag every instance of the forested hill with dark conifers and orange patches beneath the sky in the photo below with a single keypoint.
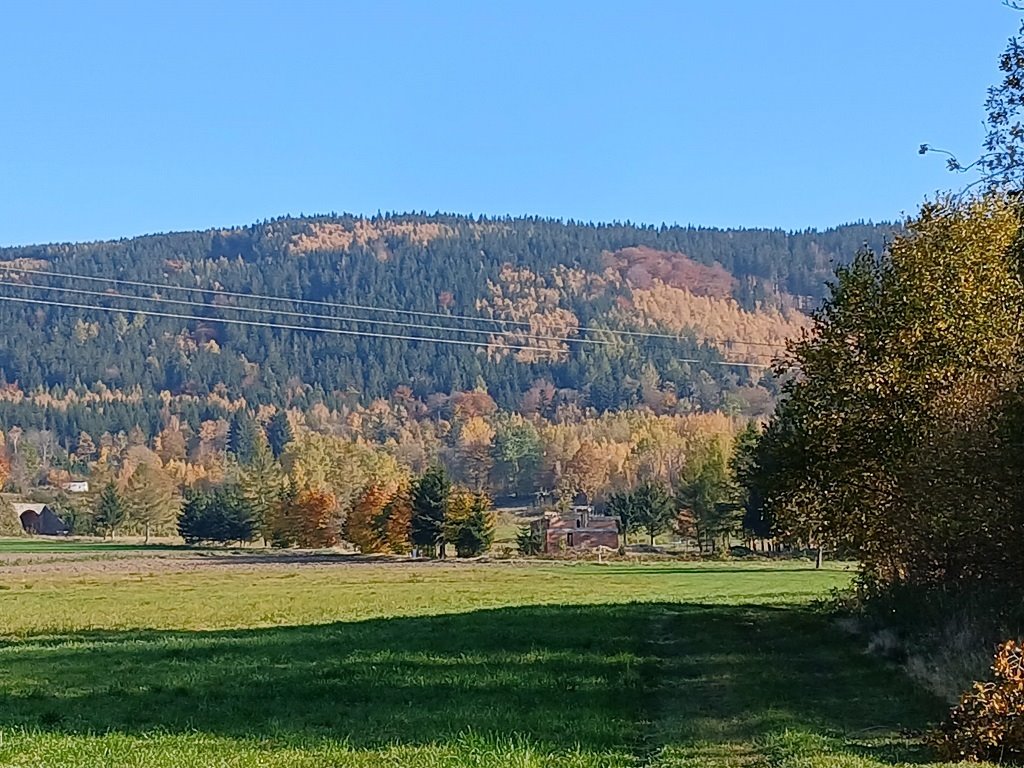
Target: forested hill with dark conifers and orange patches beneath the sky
[{"x": 564, "y": 294}]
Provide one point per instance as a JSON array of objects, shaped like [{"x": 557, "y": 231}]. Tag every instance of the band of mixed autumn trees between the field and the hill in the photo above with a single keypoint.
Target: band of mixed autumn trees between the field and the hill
[{"x": 280, "y": 481}]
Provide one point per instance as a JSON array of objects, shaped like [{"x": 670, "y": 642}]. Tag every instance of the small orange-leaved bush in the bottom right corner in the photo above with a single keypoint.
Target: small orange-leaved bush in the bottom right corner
[{"x": 989, "y": 722}]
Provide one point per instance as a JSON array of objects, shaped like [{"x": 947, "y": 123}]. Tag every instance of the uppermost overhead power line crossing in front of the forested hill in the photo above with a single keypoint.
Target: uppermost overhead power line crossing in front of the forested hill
[{"x": 370, "y": 309}]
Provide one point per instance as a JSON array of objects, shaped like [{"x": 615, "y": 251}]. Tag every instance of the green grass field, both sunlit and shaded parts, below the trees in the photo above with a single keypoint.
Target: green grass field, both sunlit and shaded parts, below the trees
[{"x": 180, "y": 660}]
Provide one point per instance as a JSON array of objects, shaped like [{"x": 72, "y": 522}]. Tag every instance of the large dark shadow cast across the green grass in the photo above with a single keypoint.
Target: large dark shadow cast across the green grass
[{"x": 602, "y": 677}]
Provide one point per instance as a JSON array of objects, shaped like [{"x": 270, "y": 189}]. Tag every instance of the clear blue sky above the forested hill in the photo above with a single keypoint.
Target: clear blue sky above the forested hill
[{"x": 120, "y": 119}]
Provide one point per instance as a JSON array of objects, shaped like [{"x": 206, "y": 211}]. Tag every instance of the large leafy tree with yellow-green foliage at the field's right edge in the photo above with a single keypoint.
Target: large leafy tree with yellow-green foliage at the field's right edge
[{"x": 901, "y": 439}]
